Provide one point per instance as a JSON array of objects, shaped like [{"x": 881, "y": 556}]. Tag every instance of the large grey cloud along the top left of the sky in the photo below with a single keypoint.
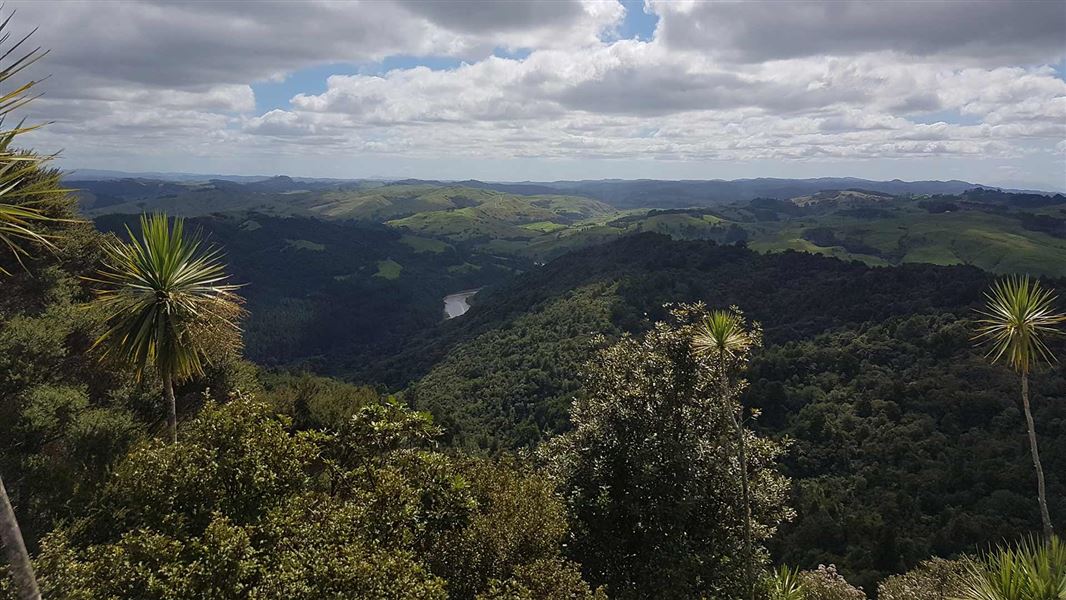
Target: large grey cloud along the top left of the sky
[{"x": 201, "y": 44}]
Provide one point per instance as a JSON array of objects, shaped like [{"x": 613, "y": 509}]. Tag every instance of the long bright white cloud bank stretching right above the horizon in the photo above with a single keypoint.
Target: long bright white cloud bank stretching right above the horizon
[{"x": 604, "y": 102}]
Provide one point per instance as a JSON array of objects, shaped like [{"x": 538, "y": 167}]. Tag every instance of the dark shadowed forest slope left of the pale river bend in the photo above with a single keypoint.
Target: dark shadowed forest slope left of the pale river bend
[{"x": 302, "y": 277}]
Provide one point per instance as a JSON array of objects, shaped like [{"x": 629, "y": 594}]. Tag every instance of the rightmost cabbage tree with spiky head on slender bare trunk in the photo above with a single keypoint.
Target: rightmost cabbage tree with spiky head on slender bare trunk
[{"x": 1019, "y": 315}]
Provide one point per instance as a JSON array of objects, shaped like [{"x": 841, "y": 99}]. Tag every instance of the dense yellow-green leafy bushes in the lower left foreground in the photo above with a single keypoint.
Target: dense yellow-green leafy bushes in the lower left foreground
[{"x": 244, "y": 507}]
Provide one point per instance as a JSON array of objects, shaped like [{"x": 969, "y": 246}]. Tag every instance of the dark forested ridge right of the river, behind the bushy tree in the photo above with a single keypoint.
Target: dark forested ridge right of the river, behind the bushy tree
[{"x": 905, "y": 443}]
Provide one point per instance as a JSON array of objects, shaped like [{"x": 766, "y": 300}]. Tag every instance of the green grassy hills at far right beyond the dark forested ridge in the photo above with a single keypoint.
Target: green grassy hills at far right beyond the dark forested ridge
[{"x": 997, "y": 233}]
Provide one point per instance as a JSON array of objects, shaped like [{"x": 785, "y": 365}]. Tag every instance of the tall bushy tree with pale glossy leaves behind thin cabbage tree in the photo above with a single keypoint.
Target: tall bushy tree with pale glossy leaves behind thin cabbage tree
[{"x": 650, "y": 472}]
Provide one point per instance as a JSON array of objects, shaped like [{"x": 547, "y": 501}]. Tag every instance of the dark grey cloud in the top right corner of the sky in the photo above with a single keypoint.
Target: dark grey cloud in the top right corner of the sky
[{"x": 979, "y": 30}]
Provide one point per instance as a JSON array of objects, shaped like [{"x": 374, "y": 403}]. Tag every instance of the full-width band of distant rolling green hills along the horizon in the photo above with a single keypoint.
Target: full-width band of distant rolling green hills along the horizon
[{"x": 993, "y": 231}]
